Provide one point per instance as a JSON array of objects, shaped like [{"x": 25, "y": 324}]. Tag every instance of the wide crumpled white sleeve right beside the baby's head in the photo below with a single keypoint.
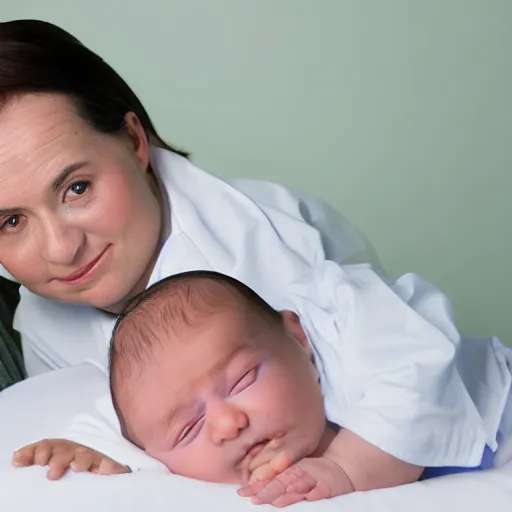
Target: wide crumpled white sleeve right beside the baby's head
[{"x": 387, "y": 355}]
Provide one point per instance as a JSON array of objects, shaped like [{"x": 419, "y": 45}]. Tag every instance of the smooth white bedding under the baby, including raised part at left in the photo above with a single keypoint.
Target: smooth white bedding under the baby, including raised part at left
[{"x": 42, "y": 406}]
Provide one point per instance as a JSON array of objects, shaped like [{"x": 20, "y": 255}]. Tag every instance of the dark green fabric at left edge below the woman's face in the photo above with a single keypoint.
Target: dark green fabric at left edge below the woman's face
[{"x": 11, "y": 361}]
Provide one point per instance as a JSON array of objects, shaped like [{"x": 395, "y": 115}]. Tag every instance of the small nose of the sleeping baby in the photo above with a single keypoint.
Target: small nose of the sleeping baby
[{"x": 225, "y": 421}]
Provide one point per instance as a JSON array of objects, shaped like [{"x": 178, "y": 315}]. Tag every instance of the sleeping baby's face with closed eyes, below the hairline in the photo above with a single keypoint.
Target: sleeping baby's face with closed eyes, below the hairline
[{"x": 217, "y": 396}]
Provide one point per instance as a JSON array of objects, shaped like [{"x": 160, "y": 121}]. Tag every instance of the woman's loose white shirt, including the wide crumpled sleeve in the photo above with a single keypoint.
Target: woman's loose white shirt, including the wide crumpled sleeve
[{"x": 388, "y": 353}]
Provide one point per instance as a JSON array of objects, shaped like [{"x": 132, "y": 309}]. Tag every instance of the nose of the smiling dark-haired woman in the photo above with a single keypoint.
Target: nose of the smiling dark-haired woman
[{"x": 60, "y": 244}]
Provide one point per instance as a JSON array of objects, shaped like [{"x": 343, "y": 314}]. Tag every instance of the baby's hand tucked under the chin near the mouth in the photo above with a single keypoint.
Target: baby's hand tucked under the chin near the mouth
[{"x": 310, "y": 479}]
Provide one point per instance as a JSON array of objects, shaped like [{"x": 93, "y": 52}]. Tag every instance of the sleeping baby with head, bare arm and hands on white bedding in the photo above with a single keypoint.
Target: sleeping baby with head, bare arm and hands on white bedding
[{"x": 208, "y": 379}]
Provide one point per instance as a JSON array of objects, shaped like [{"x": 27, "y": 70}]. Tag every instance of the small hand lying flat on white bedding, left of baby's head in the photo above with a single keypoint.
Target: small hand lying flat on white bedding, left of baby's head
[{"x": 60, "y": 455}]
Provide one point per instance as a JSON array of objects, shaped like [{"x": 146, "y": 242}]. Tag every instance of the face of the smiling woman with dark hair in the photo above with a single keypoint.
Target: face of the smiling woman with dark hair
[{"x": 80, "y": 219}]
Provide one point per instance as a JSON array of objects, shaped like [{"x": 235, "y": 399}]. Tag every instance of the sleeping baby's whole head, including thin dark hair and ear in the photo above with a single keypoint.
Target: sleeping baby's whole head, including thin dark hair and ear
[{"x": 204, "y": 374}]
